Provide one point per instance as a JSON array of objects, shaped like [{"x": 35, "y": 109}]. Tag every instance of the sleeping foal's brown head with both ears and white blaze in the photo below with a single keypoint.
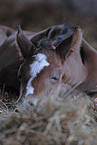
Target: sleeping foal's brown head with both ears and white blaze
[{"x": 43, "y": 66}]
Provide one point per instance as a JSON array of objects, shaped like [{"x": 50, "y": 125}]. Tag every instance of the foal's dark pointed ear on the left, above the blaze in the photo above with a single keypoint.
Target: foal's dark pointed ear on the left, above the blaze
[{"x": 25, "y": 45}]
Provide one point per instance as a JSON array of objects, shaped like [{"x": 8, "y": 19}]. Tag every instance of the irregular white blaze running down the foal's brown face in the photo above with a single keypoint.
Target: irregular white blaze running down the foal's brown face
[{"x": 35, "y": 68}]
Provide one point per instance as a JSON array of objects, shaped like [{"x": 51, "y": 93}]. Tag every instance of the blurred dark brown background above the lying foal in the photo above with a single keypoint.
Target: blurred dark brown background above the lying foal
[{"x": 35, "y": 15}]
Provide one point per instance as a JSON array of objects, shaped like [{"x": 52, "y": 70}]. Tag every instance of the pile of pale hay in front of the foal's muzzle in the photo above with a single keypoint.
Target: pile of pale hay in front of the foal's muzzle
[{"x": 54, "y": 121}]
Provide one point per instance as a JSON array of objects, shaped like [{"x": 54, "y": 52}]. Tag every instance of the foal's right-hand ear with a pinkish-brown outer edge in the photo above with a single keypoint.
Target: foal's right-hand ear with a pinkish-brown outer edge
[{"x": 70, "y": 45}]
